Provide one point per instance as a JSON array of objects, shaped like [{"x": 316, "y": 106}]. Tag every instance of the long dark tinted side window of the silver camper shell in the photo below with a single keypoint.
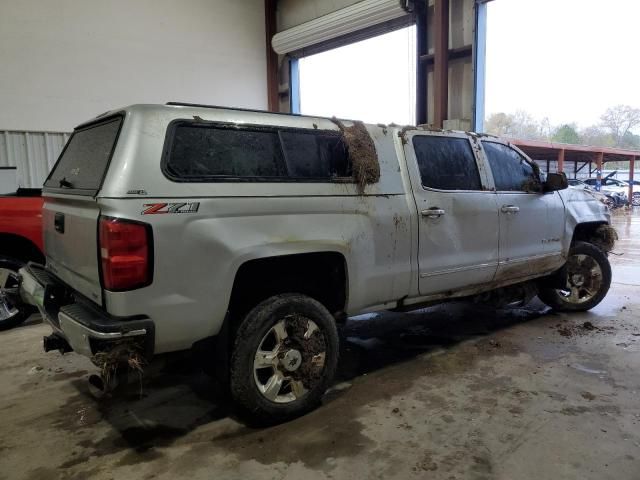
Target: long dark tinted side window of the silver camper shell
[{"x": 200, "y": 152}]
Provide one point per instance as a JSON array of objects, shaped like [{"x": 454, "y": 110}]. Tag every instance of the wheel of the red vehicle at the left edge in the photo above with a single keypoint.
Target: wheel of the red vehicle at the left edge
[{"x": 12, "y": 310}]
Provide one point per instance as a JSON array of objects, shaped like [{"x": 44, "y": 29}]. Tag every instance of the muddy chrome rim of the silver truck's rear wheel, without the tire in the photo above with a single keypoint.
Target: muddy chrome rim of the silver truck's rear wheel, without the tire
[{"x": 290, "y": 359}]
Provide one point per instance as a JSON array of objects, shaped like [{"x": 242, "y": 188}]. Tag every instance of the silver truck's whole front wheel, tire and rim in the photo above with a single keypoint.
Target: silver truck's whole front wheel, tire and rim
[{"x": 586, "y": 280}]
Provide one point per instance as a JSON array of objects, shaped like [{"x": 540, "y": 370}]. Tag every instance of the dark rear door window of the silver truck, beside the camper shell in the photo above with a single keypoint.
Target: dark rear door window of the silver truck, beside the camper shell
[{"x": 446, "y": 163}]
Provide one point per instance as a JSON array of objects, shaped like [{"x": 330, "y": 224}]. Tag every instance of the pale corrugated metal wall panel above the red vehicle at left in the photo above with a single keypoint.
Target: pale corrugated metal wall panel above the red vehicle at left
[{"x": 34, "y": 153}]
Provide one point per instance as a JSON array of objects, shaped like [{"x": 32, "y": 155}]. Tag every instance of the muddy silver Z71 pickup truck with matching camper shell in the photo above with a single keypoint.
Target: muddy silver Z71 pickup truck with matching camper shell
[{"x": 248, "y": 235}]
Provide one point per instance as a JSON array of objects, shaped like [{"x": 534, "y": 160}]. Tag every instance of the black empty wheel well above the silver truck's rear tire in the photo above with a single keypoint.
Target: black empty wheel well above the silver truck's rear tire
[{"x": 321, "y": 275}]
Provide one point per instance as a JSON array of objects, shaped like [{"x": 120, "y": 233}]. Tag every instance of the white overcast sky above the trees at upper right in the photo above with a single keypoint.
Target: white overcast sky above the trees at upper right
[{"x": 567, "y": 60}]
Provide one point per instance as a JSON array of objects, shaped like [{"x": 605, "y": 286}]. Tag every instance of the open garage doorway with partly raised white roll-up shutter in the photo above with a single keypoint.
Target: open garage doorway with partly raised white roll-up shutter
[{"x": 358, "y": 61}]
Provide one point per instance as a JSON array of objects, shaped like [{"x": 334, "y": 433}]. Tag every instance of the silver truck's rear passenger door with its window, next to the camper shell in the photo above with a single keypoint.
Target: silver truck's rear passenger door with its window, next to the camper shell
[{"x": 458, "y": 219}]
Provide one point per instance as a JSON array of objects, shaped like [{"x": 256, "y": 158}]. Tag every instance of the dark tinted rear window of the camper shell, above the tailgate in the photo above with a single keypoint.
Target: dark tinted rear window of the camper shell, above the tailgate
[{"x": 85, "y": 159}]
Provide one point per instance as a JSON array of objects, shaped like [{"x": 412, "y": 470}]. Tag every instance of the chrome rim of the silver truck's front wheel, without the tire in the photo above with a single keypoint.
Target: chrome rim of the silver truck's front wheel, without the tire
[{"x": 584, "y": 279}]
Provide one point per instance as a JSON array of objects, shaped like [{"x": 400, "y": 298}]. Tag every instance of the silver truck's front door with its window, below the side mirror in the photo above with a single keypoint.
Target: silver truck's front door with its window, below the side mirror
[{"x": 531, "y": 222}]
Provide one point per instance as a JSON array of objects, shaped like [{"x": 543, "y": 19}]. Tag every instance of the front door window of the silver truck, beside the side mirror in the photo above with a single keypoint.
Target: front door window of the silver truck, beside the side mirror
[{"x": 511, "y": 171}]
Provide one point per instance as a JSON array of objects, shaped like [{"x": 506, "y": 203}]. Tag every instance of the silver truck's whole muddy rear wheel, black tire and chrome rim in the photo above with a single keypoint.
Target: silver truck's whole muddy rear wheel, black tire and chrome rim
[{"x": 284, "y": 358}]
